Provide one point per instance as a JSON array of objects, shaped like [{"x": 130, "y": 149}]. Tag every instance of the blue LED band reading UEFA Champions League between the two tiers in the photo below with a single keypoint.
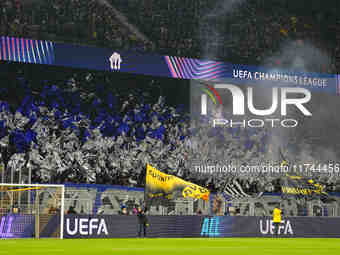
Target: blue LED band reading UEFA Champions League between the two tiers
[{"x": 115, "y": 60}]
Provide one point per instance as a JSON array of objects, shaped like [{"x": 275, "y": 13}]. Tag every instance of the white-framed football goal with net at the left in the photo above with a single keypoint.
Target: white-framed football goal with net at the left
[{"x": 31, "y": 210}]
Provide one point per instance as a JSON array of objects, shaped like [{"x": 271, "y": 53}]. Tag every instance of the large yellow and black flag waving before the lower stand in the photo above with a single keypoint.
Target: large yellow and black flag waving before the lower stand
[{"x": 159, "y": 184}]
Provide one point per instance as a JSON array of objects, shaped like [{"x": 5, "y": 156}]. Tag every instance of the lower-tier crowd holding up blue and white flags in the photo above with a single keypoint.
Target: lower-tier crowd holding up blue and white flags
[{"x": 94, "y": 128}]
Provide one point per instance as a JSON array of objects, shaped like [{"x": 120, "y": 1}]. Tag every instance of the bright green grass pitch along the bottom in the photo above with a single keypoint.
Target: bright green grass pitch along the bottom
[{"x": 208, "y": 246}]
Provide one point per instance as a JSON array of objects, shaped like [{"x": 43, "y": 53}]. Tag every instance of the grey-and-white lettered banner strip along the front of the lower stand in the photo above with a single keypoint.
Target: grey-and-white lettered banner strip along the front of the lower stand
[{"x": 113, "y": 200}]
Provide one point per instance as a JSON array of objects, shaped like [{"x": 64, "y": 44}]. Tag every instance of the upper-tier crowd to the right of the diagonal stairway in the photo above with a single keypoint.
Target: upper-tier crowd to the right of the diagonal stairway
[{"x": 246, "y": 32}]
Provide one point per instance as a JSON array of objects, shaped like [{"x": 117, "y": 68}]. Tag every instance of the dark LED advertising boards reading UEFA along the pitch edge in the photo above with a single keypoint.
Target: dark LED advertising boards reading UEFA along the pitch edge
[{"x": 117, "y": 226}]
